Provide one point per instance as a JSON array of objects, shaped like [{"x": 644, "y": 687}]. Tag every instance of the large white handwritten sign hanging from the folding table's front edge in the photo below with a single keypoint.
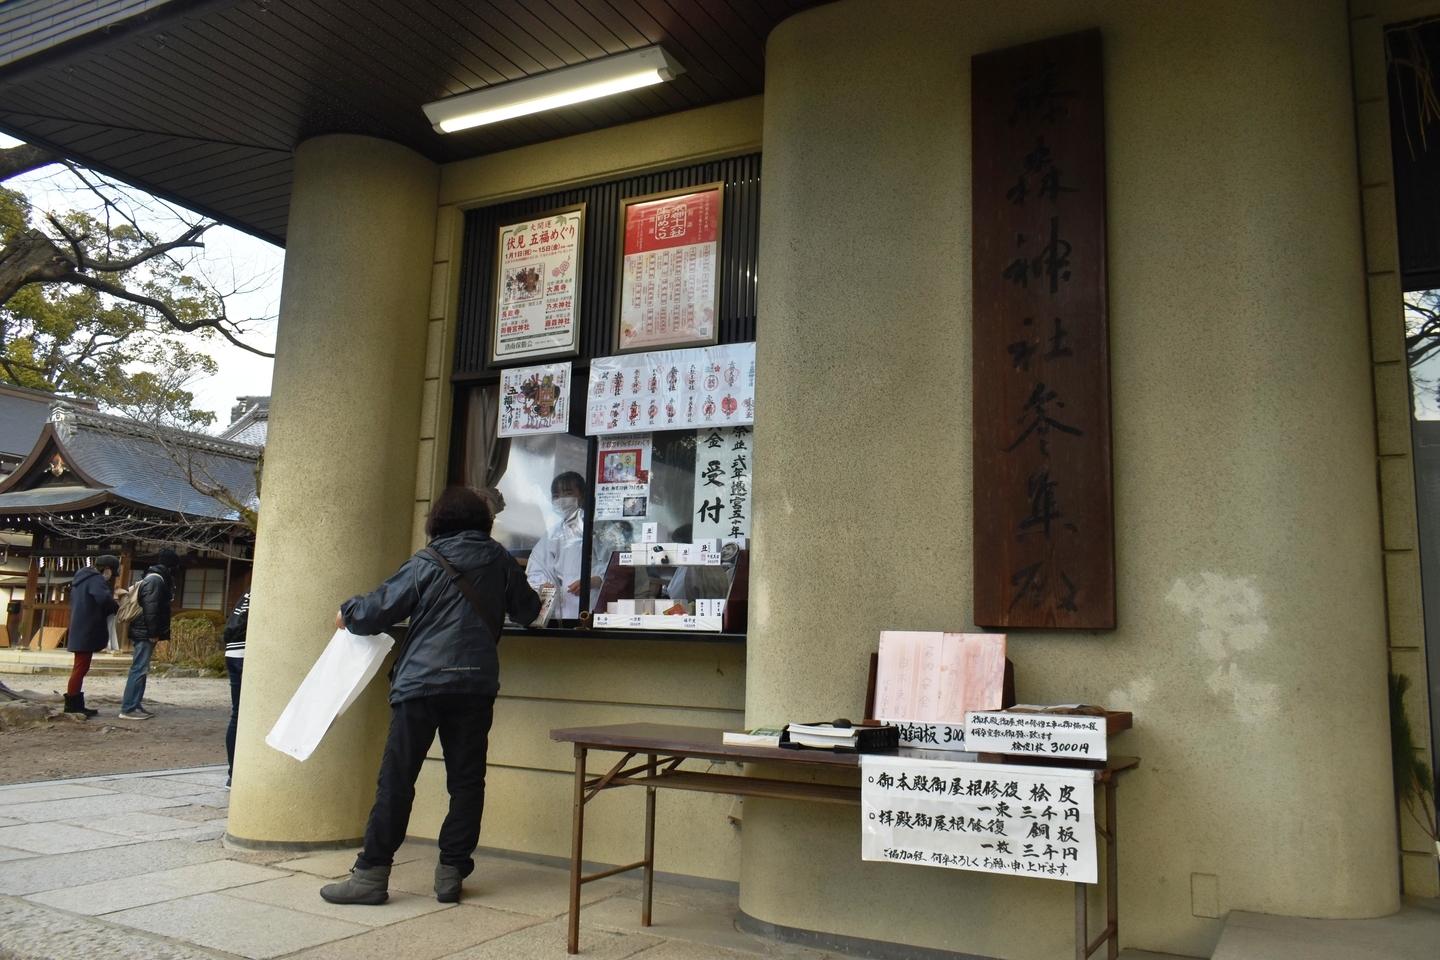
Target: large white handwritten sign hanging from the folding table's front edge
[{"x": 981, "y": 817}]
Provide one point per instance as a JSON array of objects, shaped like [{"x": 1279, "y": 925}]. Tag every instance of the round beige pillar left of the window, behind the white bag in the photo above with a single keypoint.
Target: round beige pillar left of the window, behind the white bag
[{"x": 339, "y": 490}]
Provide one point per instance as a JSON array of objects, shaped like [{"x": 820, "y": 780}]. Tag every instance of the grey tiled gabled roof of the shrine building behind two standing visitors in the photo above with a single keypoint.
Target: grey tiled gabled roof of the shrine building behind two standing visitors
[{"x": 87, "y": 461}]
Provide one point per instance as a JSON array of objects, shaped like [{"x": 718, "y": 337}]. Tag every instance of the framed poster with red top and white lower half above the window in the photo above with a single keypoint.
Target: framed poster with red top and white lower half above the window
[{"x": 669, "y": 289}]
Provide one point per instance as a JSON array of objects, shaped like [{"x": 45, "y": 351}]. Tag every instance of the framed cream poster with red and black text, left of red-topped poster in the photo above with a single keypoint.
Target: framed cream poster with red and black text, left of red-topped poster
[{"x": 538, "y": 287}]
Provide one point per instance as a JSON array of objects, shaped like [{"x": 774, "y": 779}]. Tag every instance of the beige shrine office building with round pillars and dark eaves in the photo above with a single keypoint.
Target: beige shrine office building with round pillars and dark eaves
[{"x": 1265, "y": 173}]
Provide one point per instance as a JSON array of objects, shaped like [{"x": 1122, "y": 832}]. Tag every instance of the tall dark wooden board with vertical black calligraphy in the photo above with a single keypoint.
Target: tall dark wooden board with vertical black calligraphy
[{"x": 1045, "y": 523}]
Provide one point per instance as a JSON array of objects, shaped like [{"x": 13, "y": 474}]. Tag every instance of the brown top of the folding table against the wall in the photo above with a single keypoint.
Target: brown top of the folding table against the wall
[{"x": 709, "y": 742}]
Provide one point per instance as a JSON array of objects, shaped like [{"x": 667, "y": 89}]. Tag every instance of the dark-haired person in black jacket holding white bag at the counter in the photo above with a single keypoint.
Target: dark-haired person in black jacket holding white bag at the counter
[{"x": 446, "y": 679}]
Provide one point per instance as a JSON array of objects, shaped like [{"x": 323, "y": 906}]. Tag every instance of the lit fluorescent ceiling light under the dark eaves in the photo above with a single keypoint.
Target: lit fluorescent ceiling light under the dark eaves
[{"x": 558, "y": 89}]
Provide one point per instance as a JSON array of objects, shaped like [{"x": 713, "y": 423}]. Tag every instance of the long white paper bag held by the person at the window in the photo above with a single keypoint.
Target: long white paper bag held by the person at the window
[{"x": 343, "y": 670}]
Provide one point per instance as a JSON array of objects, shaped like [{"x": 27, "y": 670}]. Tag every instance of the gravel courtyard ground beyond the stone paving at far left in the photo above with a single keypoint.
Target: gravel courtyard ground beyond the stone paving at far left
[{"x": 186, "y": 732}]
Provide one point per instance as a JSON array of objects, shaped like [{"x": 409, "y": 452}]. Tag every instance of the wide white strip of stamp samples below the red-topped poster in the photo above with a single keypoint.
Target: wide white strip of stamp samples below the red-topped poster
[{"x": 672, "y": 391}]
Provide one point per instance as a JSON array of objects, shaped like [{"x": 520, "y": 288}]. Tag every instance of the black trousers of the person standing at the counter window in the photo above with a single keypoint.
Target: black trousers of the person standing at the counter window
[{"x": 463, "y": 722}]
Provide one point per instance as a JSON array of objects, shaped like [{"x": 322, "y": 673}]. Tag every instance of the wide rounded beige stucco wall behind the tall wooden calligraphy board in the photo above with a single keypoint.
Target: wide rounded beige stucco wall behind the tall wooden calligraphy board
[{"x": 1252, "y": 640}]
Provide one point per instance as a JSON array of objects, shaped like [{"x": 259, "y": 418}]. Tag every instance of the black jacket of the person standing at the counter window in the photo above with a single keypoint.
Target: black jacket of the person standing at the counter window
[{"x": 449, "y": 648}]
